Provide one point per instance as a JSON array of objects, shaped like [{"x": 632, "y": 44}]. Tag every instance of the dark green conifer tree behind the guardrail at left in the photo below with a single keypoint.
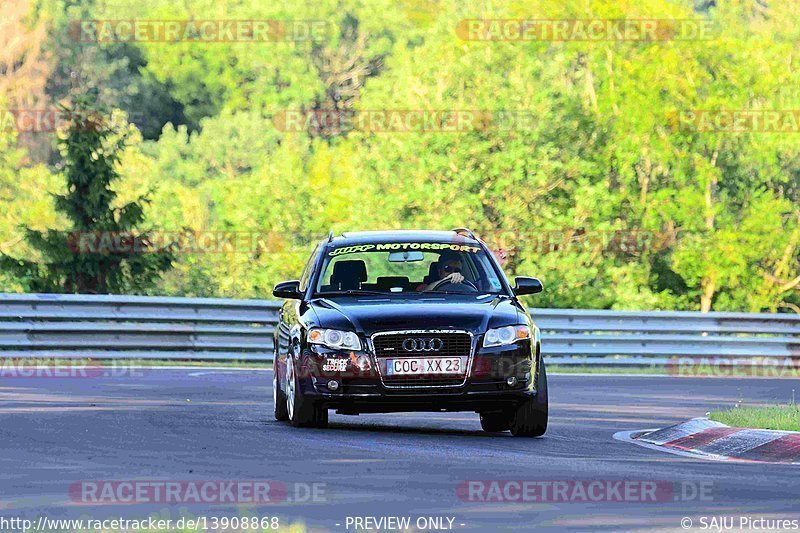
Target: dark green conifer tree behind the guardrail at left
[{"x": 101, "y": 253}]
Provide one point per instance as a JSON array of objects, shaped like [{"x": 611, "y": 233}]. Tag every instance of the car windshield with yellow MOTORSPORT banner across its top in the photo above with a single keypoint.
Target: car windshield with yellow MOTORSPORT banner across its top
[{"x": 390, "y": 268}]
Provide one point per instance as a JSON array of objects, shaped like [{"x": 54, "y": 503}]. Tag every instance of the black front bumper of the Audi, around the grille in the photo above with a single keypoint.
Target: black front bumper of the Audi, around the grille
[{"x": 362, "y": 390}]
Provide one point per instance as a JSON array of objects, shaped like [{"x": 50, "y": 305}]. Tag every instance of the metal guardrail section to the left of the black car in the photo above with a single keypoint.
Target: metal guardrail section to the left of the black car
[{"x": 50, "y": 325}]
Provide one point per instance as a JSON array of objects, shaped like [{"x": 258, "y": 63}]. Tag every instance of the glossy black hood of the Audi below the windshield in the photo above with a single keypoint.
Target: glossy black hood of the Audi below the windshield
[{"x": 368, "y": 315}]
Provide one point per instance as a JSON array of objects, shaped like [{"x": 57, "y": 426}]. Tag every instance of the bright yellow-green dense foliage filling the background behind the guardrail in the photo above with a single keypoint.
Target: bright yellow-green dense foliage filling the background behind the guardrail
[{"x": 598, "y": 193}]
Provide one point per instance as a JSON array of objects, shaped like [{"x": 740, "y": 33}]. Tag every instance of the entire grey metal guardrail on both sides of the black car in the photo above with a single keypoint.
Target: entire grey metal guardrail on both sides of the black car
[{"x": 49, "y": 325}]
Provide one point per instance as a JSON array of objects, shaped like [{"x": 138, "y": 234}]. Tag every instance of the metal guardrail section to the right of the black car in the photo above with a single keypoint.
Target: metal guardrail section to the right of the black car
[{"x": 591, "y": 337}]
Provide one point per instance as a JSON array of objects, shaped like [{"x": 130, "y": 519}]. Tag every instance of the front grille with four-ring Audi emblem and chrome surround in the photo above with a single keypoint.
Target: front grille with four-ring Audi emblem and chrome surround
[{"x": 423, "y": 345}]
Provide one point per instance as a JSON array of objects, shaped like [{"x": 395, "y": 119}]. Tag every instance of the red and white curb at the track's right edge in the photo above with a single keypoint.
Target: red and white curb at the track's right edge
[{"x": 705, "y": 439}]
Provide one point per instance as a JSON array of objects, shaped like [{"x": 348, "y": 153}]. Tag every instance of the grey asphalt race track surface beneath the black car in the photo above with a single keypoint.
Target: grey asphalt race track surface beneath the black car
[{"x": 57, "y": 431}]
